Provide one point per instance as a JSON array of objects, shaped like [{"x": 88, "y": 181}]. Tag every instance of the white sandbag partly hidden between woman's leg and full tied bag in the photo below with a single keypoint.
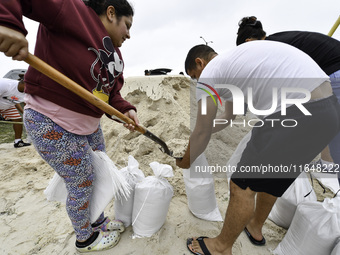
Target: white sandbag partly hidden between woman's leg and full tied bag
[{"x": 123, "y": 207}]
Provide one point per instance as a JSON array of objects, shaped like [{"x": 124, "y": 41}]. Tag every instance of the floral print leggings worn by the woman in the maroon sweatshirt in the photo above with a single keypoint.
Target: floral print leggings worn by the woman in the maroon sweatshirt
[{"x": 69, "y": 155}]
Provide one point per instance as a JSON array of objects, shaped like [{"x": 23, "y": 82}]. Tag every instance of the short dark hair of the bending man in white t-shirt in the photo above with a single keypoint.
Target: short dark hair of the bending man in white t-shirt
[{"x": 199, "y": 51}]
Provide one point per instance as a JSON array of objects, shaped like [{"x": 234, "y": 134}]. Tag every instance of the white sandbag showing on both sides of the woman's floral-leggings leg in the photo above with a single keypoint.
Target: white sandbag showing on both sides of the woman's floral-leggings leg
[{"x": 108, "y": 183}]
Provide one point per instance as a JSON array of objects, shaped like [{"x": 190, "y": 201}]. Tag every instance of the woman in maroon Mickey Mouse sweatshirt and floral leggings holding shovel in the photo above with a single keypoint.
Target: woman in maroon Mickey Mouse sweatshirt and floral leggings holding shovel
[{"x": 81, "y": 40}]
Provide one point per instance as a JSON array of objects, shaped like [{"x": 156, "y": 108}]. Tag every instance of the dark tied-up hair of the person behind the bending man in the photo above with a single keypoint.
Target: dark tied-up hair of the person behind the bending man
[{"x": 249, "y": 27}]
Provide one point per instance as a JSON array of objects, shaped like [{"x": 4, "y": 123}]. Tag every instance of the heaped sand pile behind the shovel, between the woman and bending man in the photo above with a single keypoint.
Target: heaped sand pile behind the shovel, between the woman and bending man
[{"x": 163, "y": 107}]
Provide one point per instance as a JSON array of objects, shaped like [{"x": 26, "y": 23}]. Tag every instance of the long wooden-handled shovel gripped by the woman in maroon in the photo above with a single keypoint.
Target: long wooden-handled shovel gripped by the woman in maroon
[{"x": 66, "y": 82}]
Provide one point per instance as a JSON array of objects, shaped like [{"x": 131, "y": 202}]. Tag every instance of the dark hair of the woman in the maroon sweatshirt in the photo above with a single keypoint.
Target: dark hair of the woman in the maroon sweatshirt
[{"x": 122, "y": 7}]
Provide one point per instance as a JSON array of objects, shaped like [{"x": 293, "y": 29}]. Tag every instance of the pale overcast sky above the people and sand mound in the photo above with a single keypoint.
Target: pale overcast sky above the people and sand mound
[{"x": 163, "y": 31}]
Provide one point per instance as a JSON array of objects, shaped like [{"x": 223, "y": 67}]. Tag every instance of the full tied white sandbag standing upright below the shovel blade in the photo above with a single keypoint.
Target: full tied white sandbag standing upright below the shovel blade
[{"x": 152, "y": 200}]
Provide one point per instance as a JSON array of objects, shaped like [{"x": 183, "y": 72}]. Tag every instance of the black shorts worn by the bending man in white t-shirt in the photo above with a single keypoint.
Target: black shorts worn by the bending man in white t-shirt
[{"x": 276, "y": 154}]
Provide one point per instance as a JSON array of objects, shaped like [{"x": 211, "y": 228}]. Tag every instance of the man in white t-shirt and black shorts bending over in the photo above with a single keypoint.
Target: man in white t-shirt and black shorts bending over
[{"x": 298, "y": 116}]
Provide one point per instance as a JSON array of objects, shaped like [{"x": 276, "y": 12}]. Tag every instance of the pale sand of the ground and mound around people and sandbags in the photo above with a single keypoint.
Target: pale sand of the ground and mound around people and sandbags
[{"x": 32, "y": 225}]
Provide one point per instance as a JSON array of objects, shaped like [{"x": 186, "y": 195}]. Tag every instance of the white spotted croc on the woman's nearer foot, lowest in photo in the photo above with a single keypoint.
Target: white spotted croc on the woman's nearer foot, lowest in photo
[{"x": 104, "y": 241}]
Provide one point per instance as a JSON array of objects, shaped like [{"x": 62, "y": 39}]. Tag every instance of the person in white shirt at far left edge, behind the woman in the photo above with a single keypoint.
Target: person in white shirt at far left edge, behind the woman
[{"x": 11, "y": 97}]
